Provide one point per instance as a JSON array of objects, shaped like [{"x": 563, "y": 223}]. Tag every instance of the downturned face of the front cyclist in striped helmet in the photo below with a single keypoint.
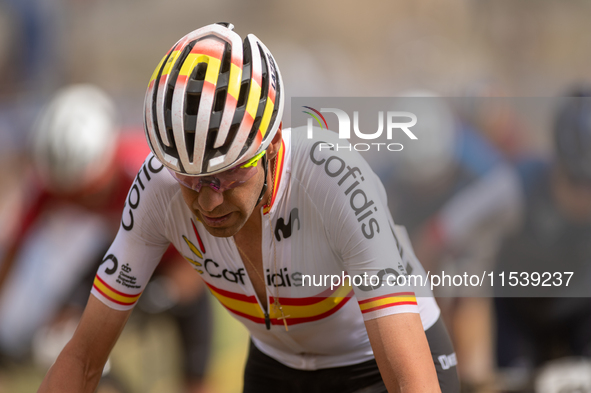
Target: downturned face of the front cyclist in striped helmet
[{"x": 224, "y": 214}]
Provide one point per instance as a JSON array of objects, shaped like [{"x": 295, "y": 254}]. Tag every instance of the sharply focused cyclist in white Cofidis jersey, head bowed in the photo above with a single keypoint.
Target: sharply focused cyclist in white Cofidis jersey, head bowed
[{"x": 262, "y": 214}]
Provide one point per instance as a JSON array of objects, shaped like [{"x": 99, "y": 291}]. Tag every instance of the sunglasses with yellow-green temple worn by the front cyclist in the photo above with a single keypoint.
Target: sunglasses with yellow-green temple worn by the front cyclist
[{"x": 222, "y": 181}]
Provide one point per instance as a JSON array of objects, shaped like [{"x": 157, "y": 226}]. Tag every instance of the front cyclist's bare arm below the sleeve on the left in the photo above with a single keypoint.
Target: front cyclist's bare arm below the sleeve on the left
[{"x": 79, "y": 366}]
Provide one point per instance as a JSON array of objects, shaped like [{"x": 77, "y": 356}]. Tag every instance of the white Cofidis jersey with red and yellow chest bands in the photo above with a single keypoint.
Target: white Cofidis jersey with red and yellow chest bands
[{"x": 328, "y": 216}]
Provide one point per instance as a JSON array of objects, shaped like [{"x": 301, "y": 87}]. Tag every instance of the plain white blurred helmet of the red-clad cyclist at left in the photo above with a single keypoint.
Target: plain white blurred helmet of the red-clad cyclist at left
[{"x": 74, "y": 138}]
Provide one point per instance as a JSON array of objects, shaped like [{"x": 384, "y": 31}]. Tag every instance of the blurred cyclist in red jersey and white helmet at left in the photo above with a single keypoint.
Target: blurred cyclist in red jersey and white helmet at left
[{"x": 74, "y": 194}]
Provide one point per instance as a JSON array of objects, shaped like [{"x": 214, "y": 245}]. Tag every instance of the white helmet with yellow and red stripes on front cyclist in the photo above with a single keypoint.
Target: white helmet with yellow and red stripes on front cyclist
[{"x": 213, "y": 101}]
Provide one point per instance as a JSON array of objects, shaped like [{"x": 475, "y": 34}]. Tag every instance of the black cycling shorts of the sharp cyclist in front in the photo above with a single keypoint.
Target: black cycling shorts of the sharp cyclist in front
[{"x": 264, "y": 374}]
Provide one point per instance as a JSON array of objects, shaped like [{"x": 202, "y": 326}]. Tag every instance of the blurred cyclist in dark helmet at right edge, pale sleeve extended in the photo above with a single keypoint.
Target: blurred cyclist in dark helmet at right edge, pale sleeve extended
[{"x": 541, "y": 210}]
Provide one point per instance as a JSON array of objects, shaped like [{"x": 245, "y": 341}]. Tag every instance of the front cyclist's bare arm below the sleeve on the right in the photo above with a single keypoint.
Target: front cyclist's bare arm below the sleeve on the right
[{"x": 402, "y": 353}]
